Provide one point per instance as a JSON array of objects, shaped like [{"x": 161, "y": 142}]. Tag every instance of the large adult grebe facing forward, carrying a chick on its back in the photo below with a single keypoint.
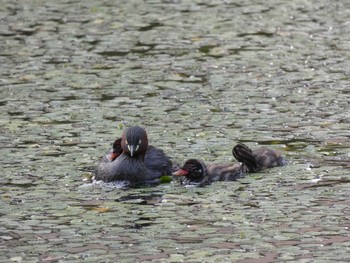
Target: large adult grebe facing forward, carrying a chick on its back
[{"x": 132, "y": 160}]
